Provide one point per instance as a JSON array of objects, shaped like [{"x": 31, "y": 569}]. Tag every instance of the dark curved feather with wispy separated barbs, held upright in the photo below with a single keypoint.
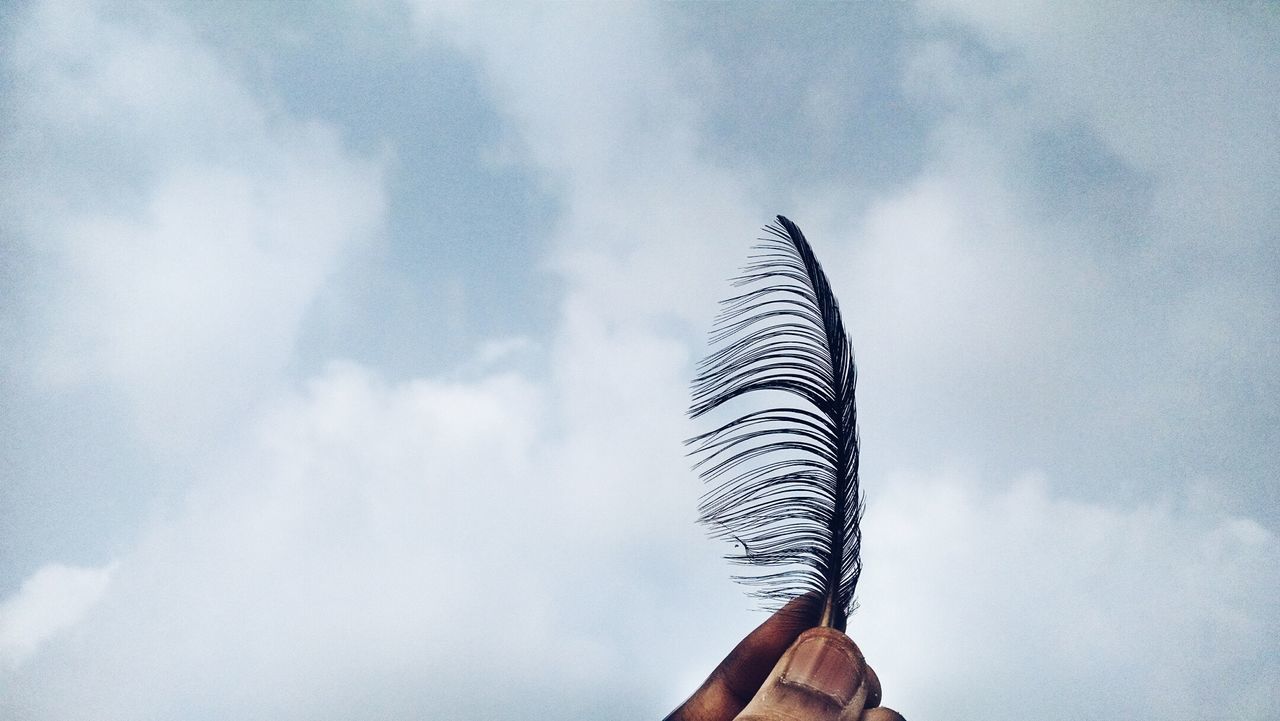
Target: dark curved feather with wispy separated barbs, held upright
[{"x": 783, "y": 477}]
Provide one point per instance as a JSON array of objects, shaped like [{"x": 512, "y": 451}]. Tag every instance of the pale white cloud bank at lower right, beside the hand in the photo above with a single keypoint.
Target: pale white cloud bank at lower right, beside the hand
[{"x": 1039, "y": 606}]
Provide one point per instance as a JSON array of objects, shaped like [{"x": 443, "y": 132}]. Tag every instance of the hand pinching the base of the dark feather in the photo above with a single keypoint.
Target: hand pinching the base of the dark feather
[{"x": 788, "y": 672}]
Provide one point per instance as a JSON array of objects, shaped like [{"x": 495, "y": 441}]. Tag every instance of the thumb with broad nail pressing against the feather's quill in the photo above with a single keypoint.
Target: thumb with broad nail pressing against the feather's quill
[{"x": 819, "y": 679}]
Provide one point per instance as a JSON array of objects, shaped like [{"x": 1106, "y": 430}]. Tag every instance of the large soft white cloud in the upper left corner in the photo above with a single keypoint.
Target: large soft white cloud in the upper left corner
[{"x": 182, "y": 222}]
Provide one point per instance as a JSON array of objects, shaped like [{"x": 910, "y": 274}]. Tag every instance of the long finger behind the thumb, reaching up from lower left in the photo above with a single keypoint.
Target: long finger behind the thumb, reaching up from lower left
[{"x": 733, "y": 685}]
